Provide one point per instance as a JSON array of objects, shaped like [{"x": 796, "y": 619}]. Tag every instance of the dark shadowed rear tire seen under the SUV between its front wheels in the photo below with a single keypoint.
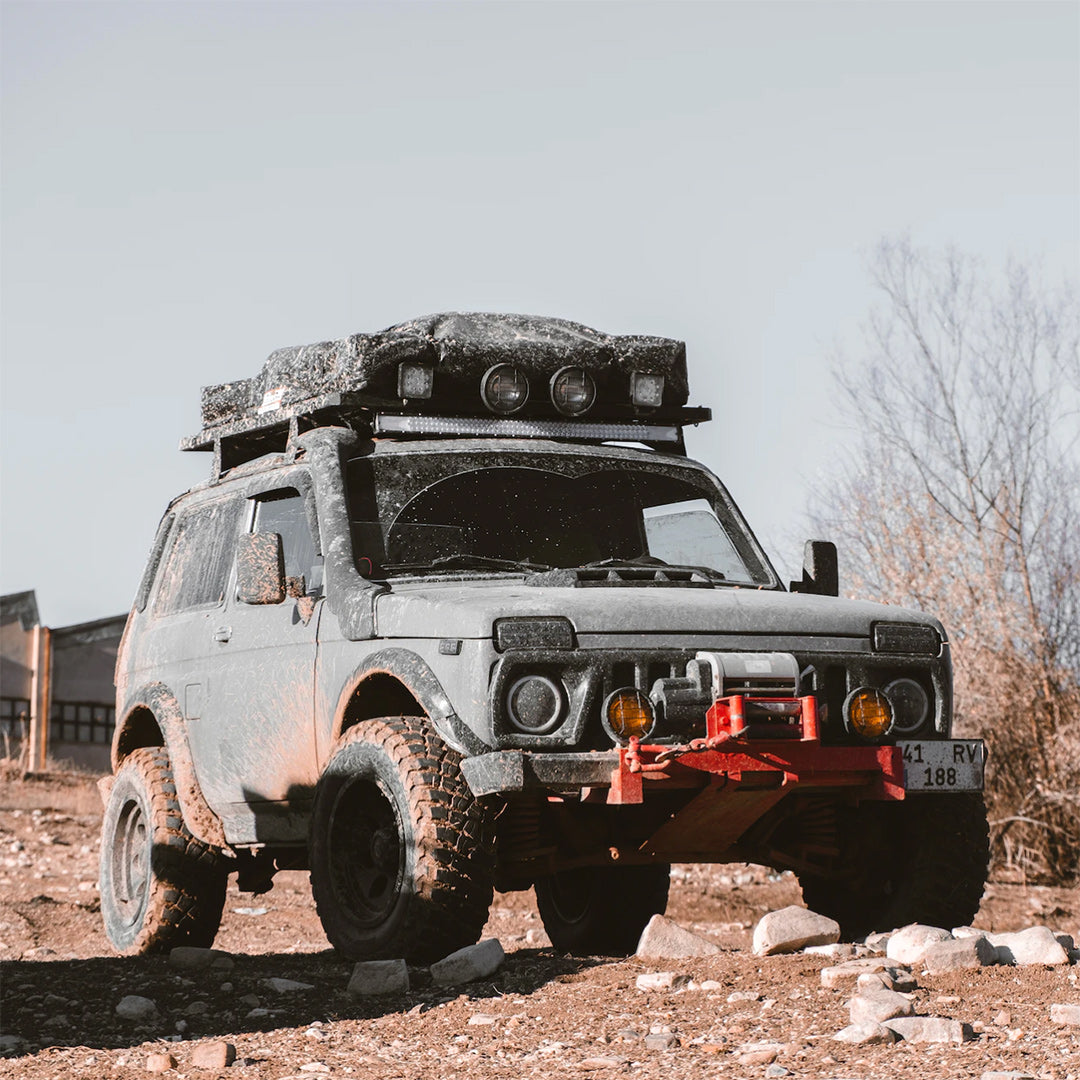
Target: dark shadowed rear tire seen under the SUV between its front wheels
[{"x": 602, "y": 911}]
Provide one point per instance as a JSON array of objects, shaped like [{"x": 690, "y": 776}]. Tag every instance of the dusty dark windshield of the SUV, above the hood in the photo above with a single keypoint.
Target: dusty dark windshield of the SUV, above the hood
[{"x": 424, "y": 514}]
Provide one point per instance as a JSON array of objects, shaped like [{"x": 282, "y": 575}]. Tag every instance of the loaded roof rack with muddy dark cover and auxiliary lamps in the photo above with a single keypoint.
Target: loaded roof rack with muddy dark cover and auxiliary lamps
[{"x": 458, "y": 374}]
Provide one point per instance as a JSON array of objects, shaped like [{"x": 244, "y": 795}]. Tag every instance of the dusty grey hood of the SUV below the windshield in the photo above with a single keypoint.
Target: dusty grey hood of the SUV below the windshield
[{"x": 467, "y": 611}]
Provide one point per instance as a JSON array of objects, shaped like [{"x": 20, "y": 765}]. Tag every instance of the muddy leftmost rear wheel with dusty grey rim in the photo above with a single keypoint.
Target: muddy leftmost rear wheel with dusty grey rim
[{"x": 160, "y": 886}]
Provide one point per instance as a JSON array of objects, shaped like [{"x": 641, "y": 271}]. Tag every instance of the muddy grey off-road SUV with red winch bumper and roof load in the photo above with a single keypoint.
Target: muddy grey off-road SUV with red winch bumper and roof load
[{"x": 455, "y": 613}]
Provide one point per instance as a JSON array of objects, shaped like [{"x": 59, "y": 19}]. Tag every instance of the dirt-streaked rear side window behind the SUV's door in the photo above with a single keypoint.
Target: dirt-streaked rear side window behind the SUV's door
[{"x": 200, "y": 559}]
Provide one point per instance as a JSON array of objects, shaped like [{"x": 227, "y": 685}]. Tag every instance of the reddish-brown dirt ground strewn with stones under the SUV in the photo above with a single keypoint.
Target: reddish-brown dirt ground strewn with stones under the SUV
[{"x": 543, "y": 1015}]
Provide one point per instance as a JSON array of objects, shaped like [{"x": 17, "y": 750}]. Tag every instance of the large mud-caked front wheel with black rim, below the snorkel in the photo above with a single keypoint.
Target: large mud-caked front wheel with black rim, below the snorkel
[{"x": 402, "y": 857}]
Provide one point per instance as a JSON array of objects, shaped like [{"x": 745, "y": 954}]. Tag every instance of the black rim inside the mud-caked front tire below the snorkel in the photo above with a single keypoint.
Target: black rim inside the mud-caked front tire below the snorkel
[{"x": 368, "y": 855}]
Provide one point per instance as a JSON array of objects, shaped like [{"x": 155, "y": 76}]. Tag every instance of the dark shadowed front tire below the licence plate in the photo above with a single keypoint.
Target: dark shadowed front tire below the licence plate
[{"x": 922, "y": 860}]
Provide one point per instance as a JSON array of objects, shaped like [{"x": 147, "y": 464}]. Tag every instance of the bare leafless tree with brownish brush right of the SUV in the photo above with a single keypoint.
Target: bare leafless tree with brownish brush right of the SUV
[{"x": 963, "y": 501}]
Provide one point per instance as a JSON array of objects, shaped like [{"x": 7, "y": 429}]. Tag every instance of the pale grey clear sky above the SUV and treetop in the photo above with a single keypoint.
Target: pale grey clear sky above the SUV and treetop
[{"x": 188, "y": 186}]
